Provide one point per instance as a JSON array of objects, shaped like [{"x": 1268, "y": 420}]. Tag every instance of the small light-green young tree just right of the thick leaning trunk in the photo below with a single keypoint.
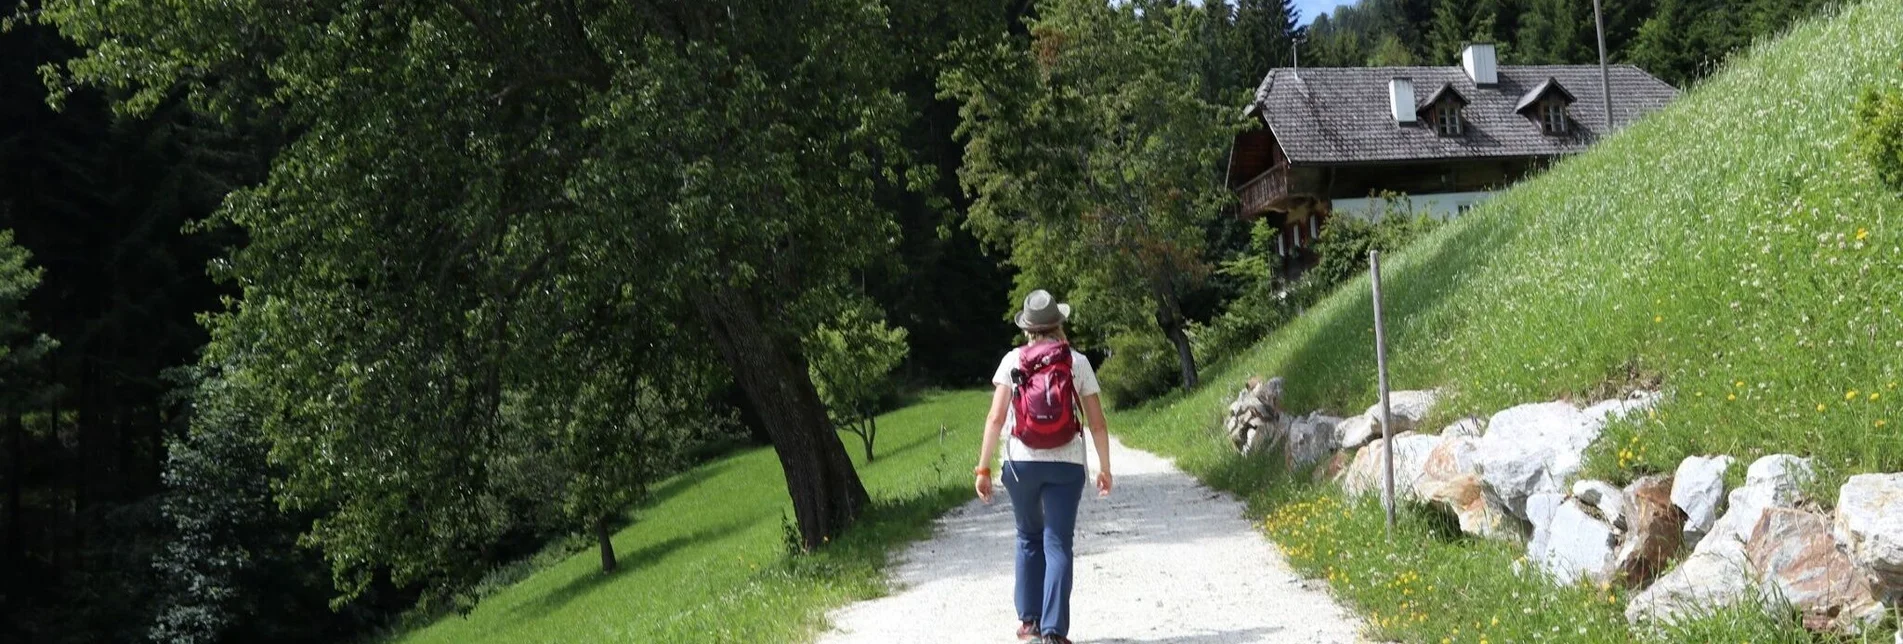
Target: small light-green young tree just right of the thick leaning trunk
[{"x": 852, "y": 361}]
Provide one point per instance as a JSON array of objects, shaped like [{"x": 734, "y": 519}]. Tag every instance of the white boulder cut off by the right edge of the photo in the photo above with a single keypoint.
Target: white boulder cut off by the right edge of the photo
[{"x": 1870, "y": 521}]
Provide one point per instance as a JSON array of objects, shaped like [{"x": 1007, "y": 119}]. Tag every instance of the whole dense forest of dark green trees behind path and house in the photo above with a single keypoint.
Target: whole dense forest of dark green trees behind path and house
[{"x": 315, "y": 315}]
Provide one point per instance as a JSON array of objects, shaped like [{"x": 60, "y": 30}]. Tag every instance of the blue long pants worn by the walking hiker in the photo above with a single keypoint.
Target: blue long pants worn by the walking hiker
[{"x": 1044, "y": 496}]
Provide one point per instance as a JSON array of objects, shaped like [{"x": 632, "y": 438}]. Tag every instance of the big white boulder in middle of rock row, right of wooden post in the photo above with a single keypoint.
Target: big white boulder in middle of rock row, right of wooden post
[{"x": 1535, "y": 449}]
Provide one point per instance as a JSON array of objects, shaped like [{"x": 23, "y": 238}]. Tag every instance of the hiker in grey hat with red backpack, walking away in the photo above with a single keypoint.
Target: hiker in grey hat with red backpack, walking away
[{"x": 1038, "y": 411}]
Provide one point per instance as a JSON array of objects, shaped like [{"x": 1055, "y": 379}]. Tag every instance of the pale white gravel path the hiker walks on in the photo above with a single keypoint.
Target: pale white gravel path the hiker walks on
[{"x": 1160, "y": 561}]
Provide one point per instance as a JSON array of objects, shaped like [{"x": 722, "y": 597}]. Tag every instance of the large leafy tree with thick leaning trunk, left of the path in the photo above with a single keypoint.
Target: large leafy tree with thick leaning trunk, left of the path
[{"x": 475, "y": 190}]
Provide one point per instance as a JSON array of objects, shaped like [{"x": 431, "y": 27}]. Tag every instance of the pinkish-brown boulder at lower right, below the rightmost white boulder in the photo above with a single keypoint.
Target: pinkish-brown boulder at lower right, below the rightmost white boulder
[{"x": 1801, "y": 567}]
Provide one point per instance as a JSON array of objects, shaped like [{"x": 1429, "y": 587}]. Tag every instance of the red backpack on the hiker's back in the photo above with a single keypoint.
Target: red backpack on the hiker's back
[{"x": 1046, "y": 399}]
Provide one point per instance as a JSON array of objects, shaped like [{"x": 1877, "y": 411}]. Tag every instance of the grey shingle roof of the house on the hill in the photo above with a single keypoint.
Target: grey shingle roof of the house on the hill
[{"x": 1337, "y": 115}]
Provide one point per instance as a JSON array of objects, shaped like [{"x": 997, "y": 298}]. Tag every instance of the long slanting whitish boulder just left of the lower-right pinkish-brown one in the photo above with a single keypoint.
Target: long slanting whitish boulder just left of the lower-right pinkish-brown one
[{"x": 1719, "y": 574}]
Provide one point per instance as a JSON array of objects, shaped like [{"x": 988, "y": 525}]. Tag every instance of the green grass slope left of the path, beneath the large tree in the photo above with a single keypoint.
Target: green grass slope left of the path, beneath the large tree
[{"x": 707, "y": 563}]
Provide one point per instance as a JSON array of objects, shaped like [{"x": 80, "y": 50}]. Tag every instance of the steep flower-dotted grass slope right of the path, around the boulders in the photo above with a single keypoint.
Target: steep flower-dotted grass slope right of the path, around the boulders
[{"x": 1729, "y": 251}]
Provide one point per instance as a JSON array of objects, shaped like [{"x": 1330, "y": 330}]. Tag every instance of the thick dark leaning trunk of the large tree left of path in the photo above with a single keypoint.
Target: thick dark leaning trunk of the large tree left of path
[{"x": 819, "y": 475}]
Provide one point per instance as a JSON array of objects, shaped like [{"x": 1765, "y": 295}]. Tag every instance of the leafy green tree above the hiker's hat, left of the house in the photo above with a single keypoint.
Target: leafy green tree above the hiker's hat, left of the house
[{"x": 1093, "y": 159}]
